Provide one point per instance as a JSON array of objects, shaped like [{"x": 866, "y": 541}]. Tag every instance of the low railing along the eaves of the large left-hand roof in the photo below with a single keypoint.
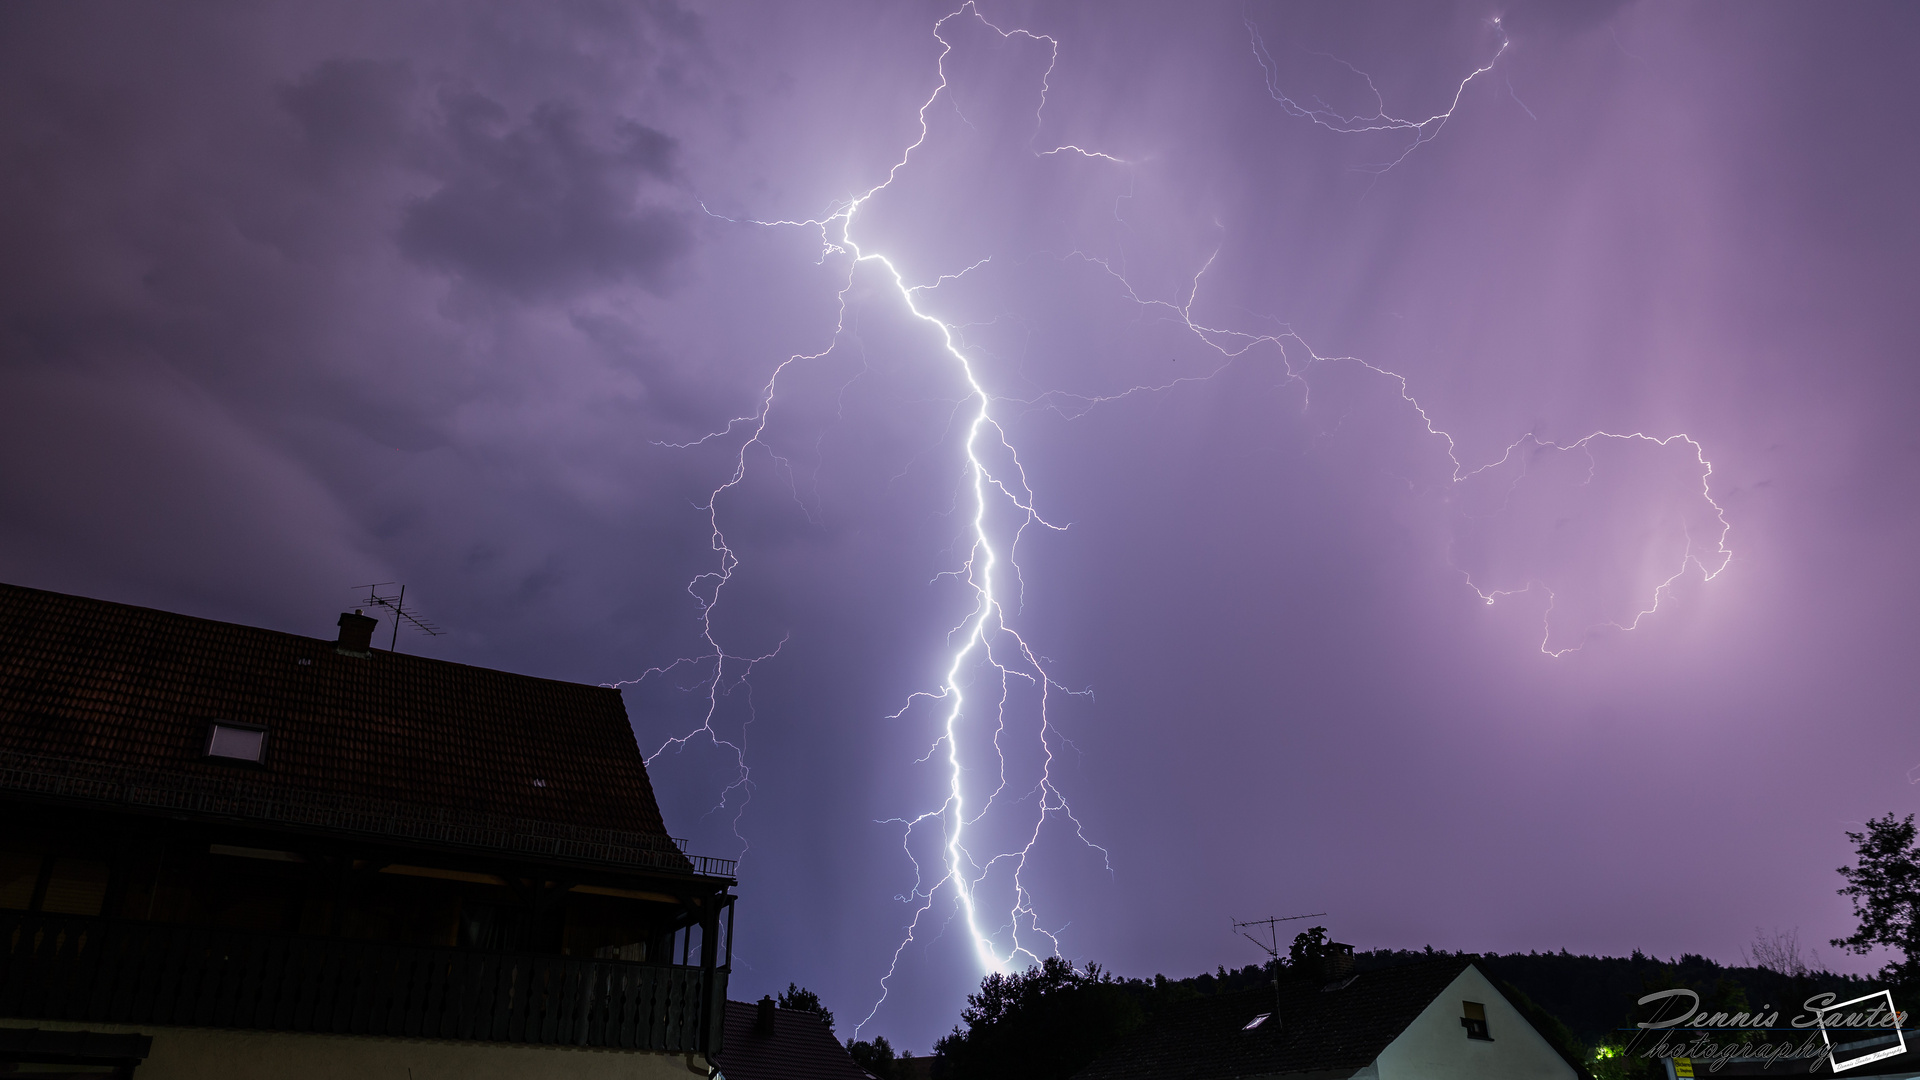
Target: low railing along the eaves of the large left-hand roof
[{"x": 249, "y": 798}]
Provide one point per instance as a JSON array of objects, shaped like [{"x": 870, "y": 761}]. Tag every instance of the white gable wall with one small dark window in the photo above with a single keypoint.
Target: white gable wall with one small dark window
[{"x": 1437, "y": 1048}]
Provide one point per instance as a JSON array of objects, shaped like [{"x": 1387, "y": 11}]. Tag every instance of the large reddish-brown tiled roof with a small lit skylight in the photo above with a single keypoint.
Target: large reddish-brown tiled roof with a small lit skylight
[{"x": 95, "y": 681}]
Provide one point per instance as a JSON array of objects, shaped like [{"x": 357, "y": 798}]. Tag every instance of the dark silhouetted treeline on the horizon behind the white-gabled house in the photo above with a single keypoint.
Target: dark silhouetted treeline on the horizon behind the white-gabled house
[{"x": 1051, "y": 1021}]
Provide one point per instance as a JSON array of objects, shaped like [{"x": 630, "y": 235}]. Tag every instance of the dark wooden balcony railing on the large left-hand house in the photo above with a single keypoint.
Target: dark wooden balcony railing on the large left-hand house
[{"x": 60, "y": 968}]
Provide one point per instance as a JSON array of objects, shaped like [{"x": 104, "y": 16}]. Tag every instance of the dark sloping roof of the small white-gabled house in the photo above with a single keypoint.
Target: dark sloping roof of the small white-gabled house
[{"x": 1320, "y": 1031}]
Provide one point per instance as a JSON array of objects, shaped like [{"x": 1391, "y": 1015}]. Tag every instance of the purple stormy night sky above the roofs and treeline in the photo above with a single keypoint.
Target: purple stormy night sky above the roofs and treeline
[{"x": 297, "y": 299}]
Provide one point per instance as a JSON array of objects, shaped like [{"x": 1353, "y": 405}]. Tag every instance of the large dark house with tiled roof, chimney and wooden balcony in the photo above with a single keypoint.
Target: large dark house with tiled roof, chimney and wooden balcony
[{"x": 235, "y": 852}]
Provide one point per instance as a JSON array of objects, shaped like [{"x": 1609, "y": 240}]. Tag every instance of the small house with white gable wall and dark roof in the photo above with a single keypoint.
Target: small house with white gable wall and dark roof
[{"x": 1424, "y": 1021}]
